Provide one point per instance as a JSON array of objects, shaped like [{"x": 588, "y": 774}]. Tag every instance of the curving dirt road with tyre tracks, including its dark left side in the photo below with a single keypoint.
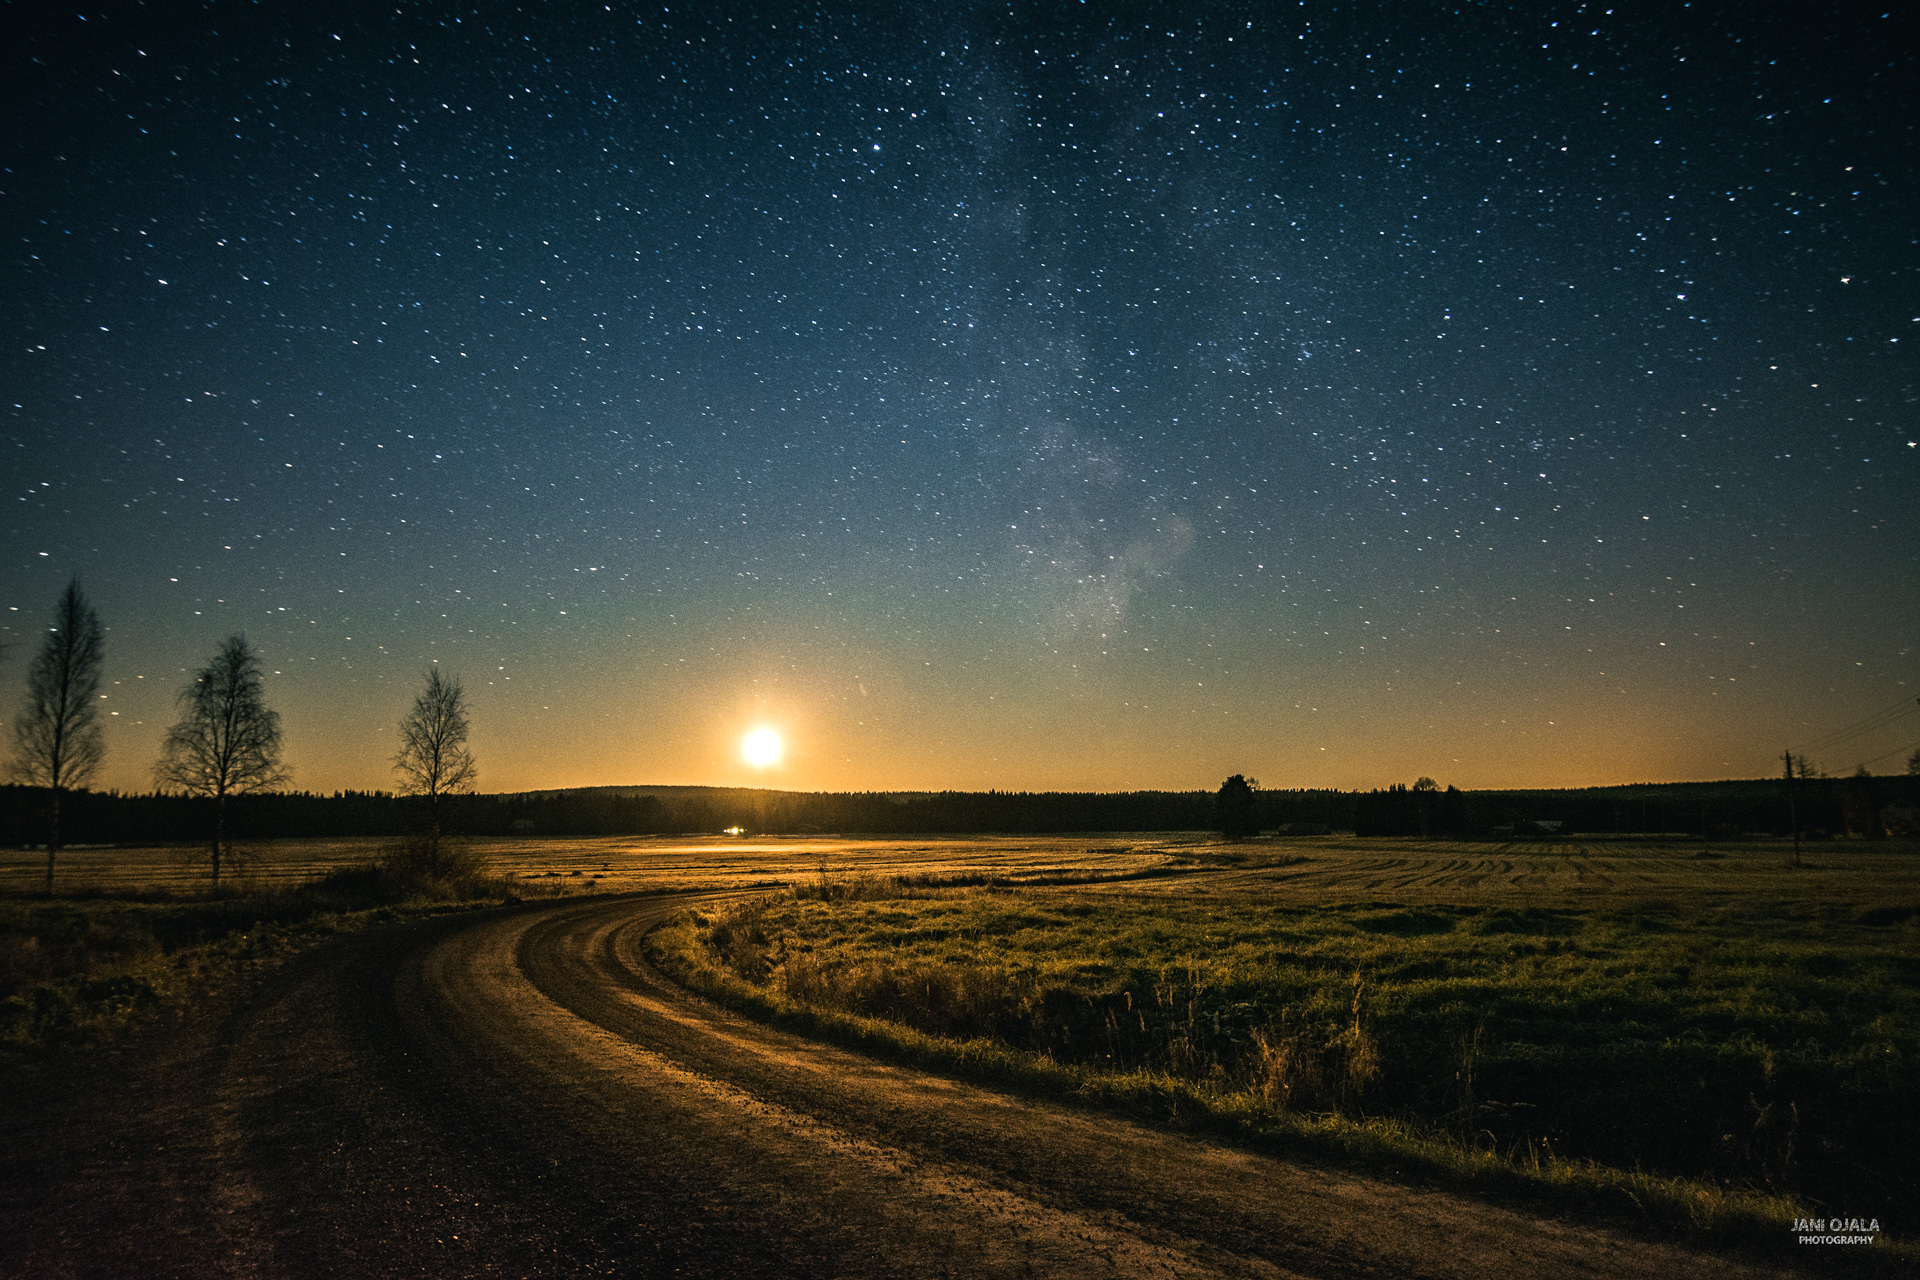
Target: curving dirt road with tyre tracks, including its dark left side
[{"x": 521, "y": 1095}]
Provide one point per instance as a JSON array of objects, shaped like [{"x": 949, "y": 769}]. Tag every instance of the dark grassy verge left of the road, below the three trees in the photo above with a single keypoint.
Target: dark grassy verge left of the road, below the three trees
[{"x": 93, "y": 968}]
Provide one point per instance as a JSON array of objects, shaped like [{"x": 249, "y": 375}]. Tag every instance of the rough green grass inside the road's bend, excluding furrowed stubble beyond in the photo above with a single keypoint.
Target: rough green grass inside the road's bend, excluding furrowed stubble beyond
[{"x": 1287, "y": 1030}]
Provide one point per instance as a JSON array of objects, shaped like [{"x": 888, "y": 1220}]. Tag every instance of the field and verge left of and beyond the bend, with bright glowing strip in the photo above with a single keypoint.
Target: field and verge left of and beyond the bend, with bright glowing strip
[{"x": 135, "y": 936}]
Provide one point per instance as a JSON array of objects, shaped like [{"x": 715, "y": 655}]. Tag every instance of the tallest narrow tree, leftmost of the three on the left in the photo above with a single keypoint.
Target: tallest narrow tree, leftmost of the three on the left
[{"x": 57, "y": 738}]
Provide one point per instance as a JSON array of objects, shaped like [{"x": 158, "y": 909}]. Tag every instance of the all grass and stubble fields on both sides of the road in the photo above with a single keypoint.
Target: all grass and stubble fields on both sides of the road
[{"x": 1677, "y": 1022}]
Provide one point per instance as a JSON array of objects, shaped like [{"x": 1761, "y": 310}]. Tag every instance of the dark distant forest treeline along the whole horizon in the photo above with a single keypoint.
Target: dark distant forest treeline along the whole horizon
[{"x": 1712, "y": 811}]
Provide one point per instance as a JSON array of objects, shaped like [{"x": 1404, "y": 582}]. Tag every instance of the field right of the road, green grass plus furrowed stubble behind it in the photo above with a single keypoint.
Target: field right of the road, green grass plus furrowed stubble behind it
[{"x": 1666, "y": 1010}]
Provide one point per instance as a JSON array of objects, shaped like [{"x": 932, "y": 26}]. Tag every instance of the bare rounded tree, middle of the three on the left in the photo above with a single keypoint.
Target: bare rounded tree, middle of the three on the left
[{"x": 228, "y": 744}]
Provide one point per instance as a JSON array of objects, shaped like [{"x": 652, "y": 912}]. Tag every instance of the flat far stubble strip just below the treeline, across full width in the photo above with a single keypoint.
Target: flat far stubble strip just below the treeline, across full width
[{"x": 1307, "y": 870}]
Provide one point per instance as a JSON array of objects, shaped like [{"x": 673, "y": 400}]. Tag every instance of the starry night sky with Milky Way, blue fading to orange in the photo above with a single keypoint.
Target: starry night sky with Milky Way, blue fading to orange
[{"x": 1055, "y": 396}]
